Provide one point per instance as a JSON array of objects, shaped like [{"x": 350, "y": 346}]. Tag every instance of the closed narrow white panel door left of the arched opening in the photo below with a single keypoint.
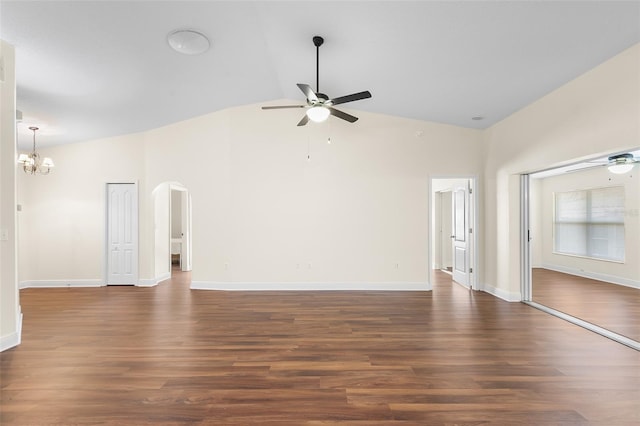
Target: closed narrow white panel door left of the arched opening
[{"x": 122, "y": 234}]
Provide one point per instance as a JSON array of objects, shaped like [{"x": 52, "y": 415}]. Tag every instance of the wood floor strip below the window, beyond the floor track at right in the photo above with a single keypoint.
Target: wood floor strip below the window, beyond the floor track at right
[{"x": 611, "y": 306}]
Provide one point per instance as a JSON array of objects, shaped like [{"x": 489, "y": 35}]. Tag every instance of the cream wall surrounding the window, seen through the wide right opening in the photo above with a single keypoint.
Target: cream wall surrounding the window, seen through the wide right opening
[{"x": 628, "y": 272}]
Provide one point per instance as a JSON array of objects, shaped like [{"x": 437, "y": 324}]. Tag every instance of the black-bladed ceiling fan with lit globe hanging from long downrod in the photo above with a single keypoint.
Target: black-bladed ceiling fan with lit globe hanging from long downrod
[{"x": 319, "y": 105}]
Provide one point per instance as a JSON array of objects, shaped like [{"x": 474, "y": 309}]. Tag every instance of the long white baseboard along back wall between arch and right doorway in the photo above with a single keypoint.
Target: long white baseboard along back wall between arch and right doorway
[{"x": 310, "y": 286}]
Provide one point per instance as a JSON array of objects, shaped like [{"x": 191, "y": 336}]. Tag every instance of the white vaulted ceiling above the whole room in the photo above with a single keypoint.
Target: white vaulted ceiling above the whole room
[{"x": 88, "y": 70}]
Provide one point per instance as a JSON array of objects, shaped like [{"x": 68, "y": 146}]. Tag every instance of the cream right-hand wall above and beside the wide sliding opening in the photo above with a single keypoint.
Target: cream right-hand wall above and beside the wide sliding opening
[{"x": 597, "y": 113}]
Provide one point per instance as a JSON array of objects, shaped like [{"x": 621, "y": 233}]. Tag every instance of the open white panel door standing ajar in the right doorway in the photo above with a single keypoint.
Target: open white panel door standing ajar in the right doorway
[{"x": 461, "y": 237}]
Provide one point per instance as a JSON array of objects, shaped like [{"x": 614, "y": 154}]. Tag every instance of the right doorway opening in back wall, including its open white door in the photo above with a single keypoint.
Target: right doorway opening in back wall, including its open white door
[{"x": 453, "y": 229}]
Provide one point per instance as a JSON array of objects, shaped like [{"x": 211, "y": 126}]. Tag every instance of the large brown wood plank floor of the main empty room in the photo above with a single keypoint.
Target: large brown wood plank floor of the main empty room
[{"x": 168, "y": 355}]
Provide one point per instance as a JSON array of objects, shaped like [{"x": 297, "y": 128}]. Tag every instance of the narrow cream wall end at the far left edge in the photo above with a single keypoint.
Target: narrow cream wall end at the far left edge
[{"x": 10, "y": 316}]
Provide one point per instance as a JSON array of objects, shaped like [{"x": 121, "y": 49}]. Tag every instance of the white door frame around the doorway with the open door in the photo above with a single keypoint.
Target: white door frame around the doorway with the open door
[{"x": 474, "y": 197}]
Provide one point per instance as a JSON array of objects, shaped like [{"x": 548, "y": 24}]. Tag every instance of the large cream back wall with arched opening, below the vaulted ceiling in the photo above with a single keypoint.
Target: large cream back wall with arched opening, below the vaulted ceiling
[{"x": 263, "y": 216}]
